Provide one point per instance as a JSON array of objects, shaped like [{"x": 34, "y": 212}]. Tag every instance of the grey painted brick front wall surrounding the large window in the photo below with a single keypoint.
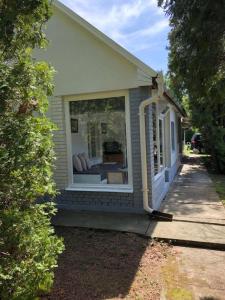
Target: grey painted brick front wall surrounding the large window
[{"x": 105, "y": 201}]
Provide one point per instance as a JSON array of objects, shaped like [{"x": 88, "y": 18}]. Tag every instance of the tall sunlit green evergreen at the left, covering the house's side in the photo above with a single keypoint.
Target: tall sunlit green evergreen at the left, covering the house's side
[{"x": 28, "y": 246}]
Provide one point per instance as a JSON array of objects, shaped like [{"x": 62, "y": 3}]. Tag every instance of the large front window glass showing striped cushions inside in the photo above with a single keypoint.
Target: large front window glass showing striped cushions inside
[{"x": 99, "y": 142}]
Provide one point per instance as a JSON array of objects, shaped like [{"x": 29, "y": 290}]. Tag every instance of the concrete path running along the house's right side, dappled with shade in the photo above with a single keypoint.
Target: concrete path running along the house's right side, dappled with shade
[{"x": 199, "y": 216}]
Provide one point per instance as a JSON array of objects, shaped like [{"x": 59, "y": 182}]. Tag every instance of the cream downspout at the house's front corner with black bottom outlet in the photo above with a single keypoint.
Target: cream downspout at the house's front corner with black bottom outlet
[{"x": 153, "y": 213}]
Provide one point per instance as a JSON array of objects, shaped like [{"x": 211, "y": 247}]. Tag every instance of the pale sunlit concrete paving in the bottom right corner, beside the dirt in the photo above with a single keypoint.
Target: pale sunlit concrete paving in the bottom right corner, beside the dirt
[{"x": 201, "y": 272}]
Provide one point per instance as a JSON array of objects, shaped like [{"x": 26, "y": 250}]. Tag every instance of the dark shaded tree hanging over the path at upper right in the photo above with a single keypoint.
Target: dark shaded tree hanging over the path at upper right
[{"x": 197, "y": 66}]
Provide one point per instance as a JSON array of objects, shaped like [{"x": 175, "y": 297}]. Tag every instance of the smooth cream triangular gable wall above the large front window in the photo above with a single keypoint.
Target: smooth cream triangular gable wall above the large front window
[{"x": 84, "y": 63}]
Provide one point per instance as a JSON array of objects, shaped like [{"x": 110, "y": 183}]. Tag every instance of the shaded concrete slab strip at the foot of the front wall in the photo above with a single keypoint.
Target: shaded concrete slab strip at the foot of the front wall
[{"x": 135, "y": 223}]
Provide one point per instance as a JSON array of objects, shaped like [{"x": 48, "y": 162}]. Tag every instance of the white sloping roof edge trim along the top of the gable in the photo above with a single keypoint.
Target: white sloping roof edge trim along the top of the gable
[{"x": 104, "y": 38}]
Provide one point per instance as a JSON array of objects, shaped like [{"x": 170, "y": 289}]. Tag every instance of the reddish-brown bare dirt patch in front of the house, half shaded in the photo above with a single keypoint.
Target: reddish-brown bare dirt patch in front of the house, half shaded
[{"x": 108, "y": 265}]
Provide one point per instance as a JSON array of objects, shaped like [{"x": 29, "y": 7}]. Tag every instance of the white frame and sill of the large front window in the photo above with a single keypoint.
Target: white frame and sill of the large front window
[{"x": 120, "y": 188}]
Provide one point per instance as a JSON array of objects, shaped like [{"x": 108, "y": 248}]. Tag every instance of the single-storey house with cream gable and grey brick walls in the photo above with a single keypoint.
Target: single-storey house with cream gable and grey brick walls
[{"x": 118, "y": 141}]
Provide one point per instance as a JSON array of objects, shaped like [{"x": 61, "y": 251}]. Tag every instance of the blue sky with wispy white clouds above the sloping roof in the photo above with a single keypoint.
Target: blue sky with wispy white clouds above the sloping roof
[{"x": 138, "y": 25}]
